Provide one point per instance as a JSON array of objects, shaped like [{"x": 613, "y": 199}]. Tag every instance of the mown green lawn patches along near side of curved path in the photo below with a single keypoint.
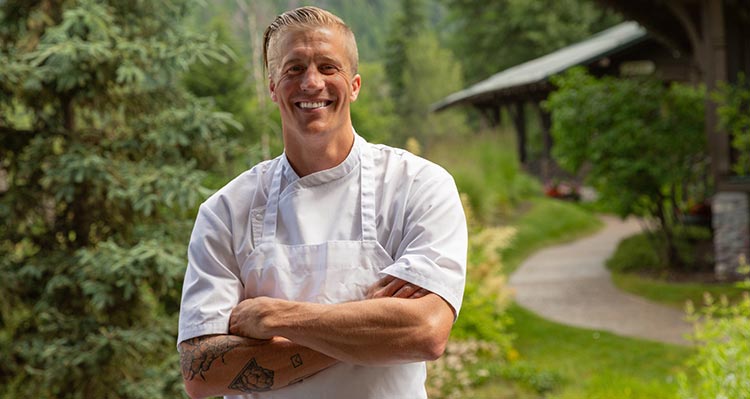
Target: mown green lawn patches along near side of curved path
[{"x": 561, "y": 362}]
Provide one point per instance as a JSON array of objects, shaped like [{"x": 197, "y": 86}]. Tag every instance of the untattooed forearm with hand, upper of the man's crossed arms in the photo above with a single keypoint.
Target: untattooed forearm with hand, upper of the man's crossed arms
[{"x": 370, "y": 332}]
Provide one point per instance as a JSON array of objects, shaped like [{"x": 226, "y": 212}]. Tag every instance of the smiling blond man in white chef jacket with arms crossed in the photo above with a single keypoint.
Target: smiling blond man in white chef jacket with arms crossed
[{"x": 334, "y": 270}]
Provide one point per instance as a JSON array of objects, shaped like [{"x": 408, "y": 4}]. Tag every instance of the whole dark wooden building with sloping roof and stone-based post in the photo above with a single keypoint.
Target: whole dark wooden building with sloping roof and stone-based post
[{"x": 699, "y": 41}]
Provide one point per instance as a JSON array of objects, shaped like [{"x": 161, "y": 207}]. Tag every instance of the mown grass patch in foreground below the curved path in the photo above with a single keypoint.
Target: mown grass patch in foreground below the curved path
[{"x": 590, "y": 364}]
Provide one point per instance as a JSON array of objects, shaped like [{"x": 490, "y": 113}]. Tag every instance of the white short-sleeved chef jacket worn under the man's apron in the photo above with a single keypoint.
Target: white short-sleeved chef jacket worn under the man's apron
[{"x": 418, "y": 216}]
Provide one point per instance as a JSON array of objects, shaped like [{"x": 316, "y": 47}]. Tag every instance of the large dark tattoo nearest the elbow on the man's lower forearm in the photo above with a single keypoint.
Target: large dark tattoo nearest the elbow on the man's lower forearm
[{"x": 197, "y": 354}]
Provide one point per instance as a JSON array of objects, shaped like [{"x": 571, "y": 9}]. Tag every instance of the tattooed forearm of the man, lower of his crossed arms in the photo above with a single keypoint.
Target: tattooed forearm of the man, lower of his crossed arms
[{"x": 231, "y": 365}]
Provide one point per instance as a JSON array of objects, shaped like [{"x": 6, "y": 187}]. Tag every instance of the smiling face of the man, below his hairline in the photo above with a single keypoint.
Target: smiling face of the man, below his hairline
[{"x": 312, "y": 82}]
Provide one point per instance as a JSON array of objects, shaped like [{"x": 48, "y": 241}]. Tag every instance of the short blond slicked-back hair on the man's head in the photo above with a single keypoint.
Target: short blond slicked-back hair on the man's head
[{"x": 309, "y": 17}]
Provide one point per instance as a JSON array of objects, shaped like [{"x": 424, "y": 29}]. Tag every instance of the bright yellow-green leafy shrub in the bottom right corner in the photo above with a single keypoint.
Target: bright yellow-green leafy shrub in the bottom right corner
[{"x": 722, "y": 361}]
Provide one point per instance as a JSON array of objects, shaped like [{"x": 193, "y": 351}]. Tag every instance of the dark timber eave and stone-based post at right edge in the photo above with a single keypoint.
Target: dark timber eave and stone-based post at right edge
[{"x": 716, "y": 36}]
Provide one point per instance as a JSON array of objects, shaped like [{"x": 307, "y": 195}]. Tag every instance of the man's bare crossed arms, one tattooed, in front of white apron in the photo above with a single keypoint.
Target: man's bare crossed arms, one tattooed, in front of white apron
[{"x": 274, "y": 343}]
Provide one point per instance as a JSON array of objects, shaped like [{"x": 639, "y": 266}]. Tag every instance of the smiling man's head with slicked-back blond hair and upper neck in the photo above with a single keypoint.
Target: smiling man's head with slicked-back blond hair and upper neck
[{"x": 311, "y": 58}]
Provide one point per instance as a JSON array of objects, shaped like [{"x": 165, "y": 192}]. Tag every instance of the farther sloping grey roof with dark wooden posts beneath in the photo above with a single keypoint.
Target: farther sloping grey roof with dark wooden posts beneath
[{"x": 625, "y": 49}]
